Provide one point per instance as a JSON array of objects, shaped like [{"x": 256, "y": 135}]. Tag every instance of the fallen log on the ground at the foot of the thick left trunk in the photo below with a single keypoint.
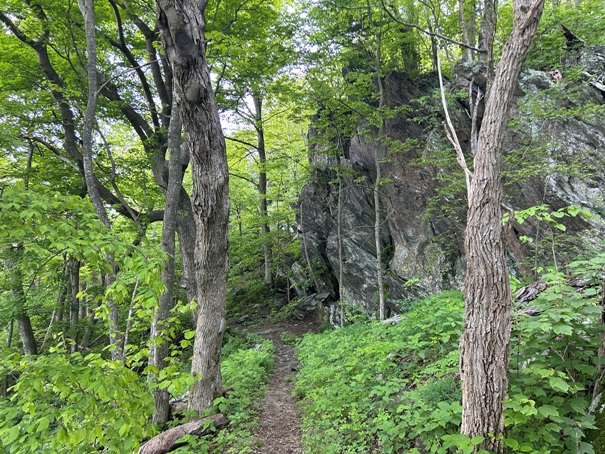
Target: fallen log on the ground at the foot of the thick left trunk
[{"x": 169, "y": 440}]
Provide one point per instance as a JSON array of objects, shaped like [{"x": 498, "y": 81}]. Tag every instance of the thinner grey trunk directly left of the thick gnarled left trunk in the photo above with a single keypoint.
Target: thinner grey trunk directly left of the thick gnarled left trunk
[{"x": 160, "y": 345}]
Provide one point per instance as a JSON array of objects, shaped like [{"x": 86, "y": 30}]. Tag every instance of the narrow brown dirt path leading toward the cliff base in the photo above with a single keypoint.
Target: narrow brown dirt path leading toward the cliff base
[{"x": 279, "y": 421}]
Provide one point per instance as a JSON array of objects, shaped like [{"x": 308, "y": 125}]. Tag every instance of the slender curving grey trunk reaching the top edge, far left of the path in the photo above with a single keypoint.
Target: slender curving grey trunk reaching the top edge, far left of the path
[{"x": 88, "y": 11}]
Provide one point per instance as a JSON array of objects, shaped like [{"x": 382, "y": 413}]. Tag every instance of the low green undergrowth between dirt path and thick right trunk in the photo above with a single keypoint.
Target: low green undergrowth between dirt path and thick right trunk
[{"x": 376, "y": 387}]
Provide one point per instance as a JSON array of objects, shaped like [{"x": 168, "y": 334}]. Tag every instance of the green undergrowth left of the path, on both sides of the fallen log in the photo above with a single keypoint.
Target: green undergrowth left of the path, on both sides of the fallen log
[{"x": 74, "y": 403}]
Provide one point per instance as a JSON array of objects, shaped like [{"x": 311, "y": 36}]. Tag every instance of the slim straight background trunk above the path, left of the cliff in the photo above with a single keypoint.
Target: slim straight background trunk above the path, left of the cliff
[{"x": 262, "y": 185}]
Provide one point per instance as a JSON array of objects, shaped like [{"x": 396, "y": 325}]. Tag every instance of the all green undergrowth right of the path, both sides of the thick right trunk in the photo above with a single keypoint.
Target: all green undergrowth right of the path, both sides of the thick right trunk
[{"x": 377, "y": 388}]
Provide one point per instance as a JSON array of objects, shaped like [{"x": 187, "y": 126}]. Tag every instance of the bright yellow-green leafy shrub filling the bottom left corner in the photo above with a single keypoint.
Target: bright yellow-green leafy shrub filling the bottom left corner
[{"x": 70, "y": 403}]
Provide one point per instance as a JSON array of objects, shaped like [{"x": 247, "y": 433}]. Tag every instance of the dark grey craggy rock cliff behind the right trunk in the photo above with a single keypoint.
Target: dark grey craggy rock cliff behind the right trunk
[{"x": 555, "y": 154}]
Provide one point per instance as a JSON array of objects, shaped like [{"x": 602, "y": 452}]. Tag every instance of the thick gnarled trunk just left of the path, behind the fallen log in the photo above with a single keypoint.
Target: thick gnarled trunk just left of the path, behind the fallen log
[{"x": 182, "y": 26}]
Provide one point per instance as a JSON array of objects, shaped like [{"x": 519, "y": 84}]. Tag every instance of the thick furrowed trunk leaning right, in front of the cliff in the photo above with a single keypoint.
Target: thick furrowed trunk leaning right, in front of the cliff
[{"x": 485, "y": 342}]
